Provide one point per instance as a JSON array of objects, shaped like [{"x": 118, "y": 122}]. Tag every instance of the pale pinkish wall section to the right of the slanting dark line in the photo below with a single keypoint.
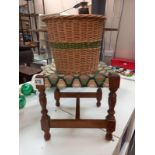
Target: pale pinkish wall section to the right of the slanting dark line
[{"x": 126, "y": 38}]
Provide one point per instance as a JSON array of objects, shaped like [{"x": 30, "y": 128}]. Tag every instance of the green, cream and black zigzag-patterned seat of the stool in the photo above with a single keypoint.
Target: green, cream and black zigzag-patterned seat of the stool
[{"x": 54, "y": 79}]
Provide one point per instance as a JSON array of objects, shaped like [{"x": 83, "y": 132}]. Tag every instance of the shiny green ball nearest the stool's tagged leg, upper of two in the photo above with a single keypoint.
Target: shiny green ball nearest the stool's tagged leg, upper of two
[{"x": 27, "y": 89}]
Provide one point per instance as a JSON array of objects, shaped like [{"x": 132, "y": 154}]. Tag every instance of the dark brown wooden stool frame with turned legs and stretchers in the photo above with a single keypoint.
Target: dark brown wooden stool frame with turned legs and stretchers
[{"x": 108, "y": 123}]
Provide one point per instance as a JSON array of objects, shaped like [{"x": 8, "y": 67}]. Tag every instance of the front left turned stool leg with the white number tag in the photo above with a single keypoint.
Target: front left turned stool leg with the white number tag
[{"x": 45, "y": 118}]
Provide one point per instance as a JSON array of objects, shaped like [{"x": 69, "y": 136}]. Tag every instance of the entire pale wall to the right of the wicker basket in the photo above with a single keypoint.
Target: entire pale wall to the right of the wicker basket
[{"x": 126, "y": 40}]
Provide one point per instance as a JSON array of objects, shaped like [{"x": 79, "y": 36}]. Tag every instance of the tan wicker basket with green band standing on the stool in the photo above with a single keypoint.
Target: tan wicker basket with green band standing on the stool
[{"x": 75, "y": 41}]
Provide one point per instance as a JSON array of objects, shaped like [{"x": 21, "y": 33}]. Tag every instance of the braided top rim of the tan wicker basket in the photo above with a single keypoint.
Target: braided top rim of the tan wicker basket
[{"x": 81, "y": 16}]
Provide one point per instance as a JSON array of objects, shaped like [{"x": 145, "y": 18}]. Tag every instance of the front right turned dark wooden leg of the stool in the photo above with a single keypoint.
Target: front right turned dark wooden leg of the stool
[{"x": 114, "y": 81}]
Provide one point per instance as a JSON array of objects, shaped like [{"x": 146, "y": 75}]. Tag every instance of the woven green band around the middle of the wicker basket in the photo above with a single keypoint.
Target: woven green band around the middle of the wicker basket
[{"x": 75, "y": 45}]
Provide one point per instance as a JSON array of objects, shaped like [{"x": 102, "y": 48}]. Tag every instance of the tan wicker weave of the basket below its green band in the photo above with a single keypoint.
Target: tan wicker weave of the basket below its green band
[{"x": 70, "y": 64}]
